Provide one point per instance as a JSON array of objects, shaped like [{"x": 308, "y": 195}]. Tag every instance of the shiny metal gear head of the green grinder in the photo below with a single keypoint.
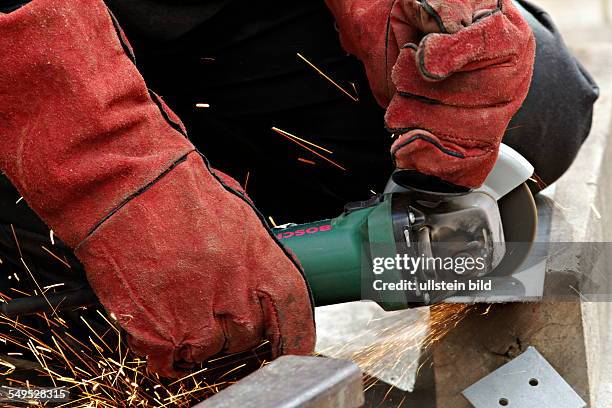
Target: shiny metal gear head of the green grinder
[{"x": 457, "y": 236}]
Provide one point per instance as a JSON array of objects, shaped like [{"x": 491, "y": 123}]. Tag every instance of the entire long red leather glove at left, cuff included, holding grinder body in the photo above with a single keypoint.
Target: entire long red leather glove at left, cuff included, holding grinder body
[{"x": 178, "y": 256}]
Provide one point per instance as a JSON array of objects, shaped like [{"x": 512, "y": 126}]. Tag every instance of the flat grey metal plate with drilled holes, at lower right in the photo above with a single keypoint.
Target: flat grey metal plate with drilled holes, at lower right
[{"x": 528, "y": 381}]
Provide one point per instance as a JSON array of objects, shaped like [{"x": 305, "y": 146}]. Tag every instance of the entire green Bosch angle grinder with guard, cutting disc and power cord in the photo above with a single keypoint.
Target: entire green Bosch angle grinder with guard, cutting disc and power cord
[{"x": 413, "y": 219}]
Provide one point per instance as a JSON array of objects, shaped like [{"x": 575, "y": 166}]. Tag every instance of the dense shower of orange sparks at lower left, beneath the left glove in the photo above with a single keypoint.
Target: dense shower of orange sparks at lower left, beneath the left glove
[{"x": 98, "y": 369}]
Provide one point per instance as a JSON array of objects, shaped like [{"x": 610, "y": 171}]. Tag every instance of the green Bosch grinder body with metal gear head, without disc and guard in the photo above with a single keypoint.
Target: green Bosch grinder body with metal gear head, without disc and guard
[{"x": 343, "y": 258}]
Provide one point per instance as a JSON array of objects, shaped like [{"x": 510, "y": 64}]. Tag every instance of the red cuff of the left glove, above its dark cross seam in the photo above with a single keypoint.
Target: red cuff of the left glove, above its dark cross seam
[{"x": 82, "y": 134}]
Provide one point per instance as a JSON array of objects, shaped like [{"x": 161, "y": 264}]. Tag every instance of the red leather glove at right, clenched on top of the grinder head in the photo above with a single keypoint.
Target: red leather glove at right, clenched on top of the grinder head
[{"x": 451, "y": 73}]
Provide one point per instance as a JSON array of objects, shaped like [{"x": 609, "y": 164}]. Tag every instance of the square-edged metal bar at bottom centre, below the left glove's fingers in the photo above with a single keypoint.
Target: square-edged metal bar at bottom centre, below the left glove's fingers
[{"x": 295, "y": 381}]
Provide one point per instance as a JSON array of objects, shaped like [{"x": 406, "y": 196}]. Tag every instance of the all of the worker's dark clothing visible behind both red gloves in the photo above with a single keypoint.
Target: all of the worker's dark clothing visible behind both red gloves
[{"x": 242, "y": 61}]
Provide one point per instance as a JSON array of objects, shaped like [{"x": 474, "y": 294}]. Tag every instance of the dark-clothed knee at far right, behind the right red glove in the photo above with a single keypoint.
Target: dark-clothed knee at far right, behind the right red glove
[{"x": 556, "y": 116}]
